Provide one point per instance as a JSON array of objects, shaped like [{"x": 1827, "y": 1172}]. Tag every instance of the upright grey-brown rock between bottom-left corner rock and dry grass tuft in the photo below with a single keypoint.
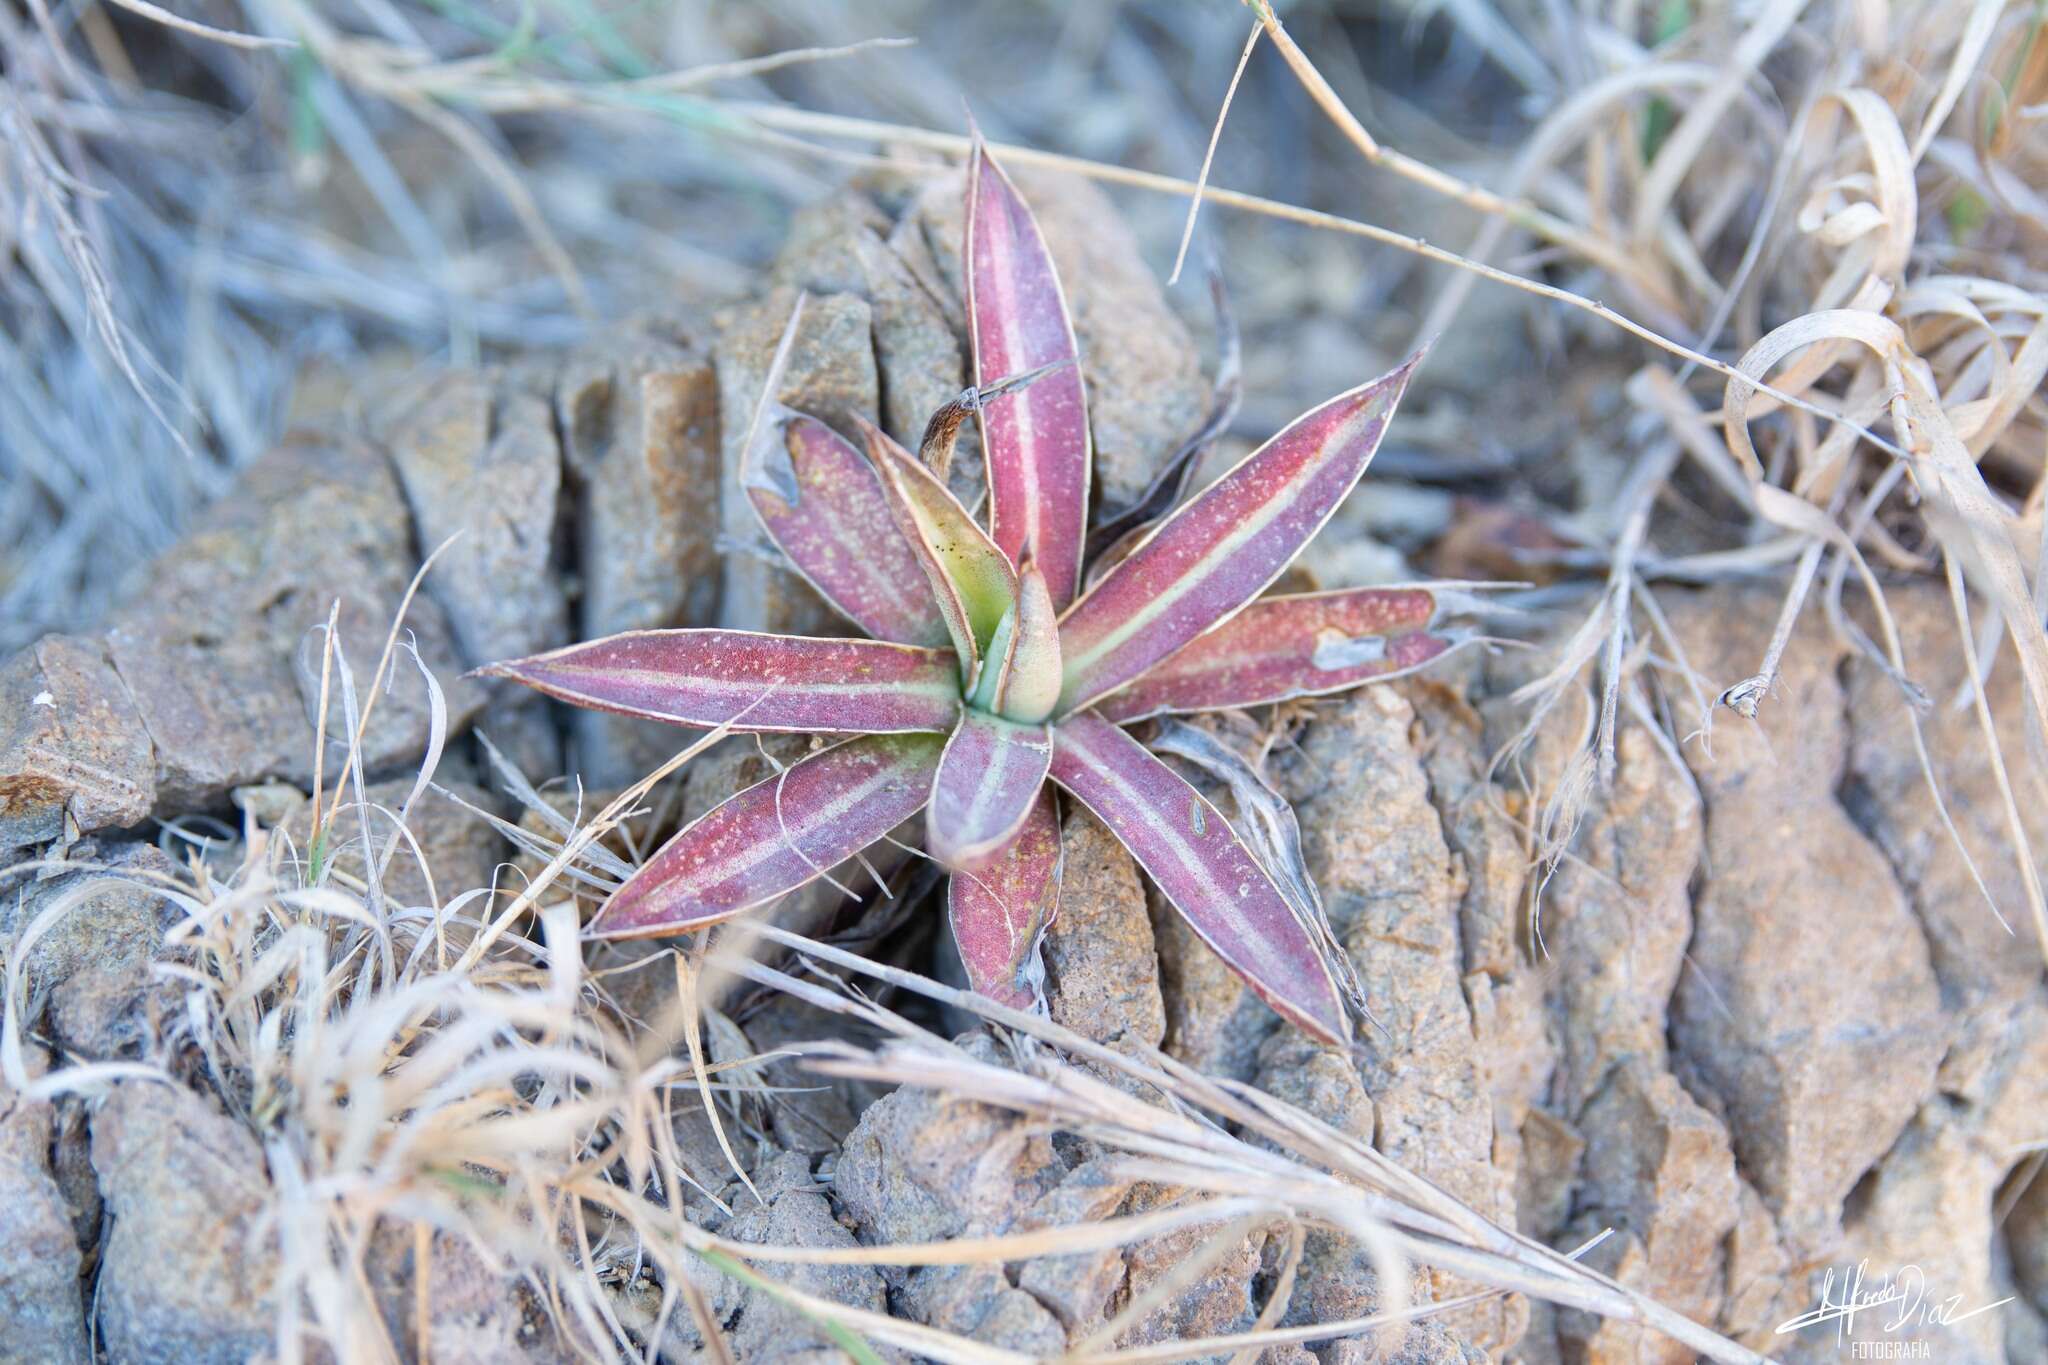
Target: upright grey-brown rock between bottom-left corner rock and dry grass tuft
[{"x": 191, "y": 1266}]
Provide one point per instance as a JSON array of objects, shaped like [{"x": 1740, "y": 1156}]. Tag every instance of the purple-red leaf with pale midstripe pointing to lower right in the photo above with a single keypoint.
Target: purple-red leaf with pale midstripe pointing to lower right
[{"x": 1205, "y": 871}]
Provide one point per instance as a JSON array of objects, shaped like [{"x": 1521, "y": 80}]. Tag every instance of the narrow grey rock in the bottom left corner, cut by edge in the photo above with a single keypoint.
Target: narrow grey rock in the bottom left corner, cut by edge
[{"x": 42, "y": 1298}]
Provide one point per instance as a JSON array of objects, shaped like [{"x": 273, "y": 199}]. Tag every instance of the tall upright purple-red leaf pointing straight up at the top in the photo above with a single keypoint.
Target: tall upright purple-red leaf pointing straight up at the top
[{"x": 1035, "y": 441}]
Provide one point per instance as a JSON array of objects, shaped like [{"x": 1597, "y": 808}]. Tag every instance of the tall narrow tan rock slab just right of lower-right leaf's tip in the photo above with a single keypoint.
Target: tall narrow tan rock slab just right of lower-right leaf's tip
[{"x": 1377, "y": 850}]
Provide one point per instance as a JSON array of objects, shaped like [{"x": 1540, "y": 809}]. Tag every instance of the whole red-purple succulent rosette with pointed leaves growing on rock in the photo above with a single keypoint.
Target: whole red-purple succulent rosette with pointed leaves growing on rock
[{"x": 996, "y": 672}]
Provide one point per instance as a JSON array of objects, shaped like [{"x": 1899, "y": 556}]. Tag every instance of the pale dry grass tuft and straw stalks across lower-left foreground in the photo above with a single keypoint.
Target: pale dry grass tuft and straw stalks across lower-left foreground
[{"x": 456, "y": 1069}]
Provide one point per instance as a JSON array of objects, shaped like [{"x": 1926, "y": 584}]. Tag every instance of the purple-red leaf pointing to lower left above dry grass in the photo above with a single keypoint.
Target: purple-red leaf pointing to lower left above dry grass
[{"x": 775, "y": 836}]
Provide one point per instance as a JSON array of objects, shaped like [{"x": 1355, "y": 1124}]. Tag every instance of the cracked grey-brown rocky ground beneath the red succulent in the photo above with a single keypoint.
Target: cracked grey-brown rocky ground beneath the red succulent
[{"x": 1758, "y": 1024}]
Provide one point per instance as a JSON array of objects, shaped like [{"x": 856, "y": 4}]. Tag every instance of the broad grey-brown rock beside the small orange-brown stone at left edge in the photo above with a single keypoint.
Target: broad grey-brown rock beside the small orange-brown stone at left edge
[{"x": 218, "y": 642}]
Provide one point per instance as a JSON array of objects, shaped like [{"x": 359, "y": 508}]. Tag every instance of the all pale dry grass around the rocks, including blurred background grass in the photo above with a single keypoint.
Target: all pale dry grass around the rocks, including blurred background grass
[{"x": 1805, "y": 243}]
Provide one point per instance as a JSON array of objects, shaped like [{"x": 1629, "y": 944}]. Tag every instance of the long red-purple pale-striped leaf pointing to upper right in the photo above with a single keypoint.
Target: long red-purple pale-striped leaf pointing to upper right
[{"x": 1220, "y": 552}]
